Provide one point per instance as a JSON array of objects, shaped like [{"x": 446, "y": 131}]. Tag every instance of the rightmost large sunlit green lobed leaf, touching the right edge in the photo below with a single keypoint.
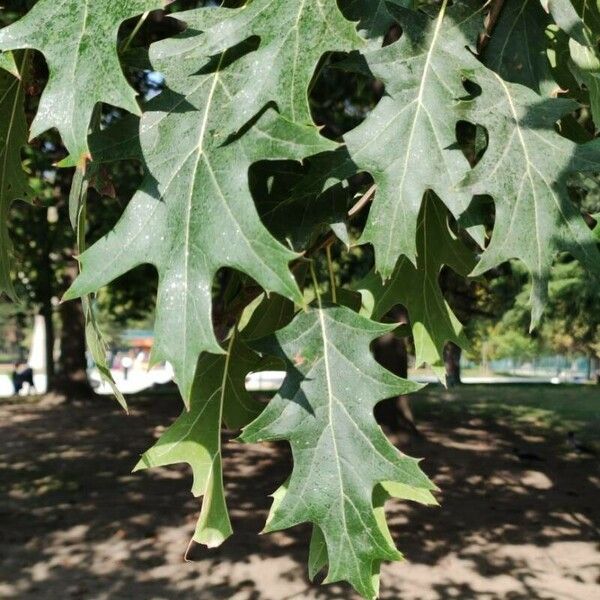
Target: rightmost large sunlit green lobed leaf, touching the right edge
[{"x": 525, "y": 169}]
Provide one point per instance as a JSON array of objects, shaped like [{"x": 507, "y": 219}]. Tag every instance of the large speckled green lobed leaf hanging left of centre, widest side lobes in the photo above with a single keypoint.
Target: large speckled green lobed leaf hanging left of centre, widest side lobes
[{"x": 181, "y": 217}]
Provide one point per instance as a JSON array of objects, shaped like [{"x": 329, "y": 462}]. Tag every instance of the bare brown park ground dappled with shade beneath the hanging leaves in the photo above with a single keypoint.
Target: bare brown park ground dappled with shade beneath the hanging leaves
[{"x": 519, "y": 516}]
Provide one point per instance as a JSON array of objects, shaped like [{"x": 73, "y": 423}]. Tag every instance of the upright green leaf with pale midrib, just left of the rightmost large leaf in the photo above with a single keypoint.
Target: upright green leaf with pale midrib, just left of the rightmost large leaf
[{"x": 408, "y": 142}]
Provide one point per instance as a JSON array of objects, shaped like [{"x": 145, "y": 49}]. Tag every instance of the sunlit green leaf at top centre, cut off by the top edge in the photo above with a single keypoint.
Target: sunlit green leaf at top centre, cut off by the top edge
[{"x": 293, "y": 34}]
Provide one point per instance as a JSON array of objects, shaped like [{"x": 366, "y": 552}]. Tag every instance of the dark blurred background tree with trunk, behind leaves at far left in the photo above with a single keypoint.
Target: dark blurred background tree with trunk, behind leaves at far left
[{"x": 44, "y": 250}]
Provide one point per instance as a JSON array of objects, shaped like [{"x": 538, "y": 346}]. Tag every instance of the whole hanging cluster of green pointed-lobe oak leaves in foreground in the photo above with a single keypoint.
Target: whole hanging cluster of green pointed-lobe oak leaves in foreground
[{"x": 242, "y": 190}]
